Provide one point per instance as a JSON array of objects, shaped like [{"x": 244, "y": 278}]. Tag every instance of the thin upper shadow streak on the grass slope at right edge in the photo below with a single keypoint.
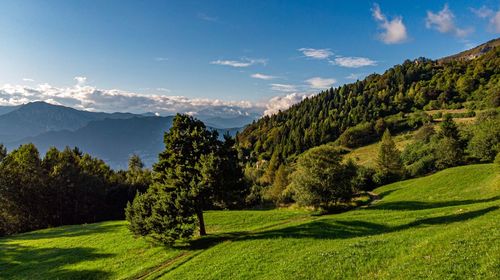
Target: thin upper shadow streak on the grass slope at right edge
[{"x": 419, "y": 205}]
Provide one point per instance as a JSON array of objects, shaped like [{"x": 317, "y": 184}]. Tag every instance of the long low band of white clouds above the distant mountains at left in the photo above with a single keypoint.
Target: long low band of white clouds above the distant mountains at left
[{"x": 112, "y": 100}]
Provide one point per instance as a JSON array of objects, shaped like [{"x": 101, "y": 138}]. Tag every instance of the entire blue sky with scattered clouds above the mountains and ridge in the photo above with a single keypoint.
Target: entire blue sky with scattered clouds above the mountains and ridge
[{"x": 244, "y": 52}]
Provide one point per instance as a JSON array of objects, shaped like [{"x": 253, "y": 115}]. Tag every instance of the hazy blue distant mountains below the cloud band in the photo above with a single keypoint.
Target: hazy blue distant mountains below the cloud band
[{"x": 111, "y": 137}]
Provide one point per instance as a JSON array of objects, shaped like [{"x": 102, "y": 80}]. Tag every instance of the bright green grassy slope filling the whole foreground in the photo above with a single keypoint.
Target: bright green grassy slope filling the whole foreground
[{"x": 443, "y": 226}]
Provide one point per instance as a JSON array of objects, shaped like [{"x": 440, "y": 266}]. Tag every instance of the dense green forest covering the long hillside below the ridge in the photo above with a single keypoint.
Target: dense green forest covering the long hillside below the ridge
[{"x": 421, "y": 84}]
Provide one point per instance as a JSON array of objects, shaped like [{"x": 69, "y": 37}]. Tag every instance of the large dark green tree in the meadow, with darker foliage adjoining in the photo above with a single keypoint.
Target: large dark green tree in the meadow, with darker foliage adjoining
[{"x": 195, "y": 172}]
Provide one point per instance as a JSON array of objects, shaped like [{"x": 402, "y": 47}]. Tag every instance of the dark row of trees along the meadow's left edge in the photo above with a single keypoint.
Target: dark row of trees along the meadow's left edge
[{"x": 63, "y": 187}]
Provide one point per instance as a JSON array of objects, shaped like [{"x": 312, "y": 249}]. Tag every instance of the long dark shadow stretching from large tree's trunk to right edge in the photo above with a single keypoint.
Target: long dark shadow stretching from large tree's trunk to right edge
[{"x": 333, "y": 229}]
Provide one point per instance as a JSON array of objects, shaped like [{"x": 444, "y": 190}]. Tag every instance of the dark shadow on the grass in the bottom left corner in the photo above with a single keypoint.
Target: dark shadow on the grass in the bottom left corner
[{"x": 25, "y": 262}]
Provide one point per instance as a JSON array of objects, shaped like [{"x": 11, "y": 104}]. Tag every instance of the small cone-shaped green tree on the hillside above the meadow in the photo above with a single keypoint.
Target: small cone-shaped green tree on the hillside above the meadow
[{"x": 389, "y": 164}]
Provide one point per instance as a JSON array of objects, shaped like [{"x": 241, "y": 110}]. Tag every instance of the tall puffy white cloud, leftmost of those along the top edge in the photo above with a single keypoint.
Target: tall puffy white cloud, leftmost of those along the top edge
[{"x": 394, "y": 31}]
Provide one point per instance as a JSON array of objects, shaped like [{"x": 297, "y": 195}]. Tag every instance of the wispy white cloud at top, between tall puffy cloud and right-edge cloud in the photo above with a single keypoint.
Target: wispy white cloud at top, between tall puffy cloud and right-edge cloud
[{"x": 444, "y": 22}]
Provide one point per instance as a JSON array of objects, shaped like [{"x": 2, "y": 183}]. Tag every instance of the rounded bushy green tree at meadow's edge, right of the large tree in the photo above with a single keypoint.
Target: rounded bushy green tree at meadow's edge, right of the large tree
[{"x": 321, "y": 180}]
